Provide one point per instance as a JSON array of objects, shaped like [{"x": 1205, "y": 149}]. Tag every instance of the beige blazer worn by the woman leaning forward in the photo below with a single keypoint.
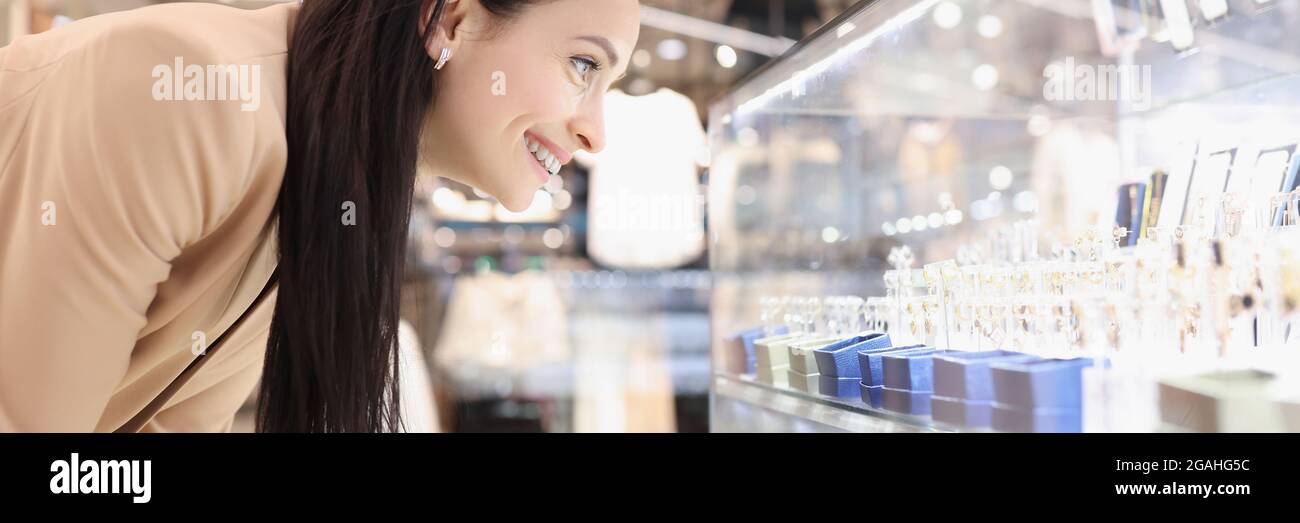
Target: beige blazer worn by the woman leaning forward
[{"x": 135, "y": 228}]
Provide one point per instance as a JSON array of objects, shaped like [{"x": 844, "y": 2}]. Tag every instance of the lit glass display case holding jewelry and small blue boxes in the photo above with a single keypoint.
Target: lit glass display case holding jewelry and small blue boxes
[{"x": 1073, "y": 215}]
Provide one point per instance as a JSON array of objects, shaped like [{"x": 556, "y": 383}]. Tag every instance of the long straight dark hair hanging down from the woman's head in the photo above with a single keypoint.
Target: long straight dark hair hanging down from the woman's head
[{"x": 361, "y": 83}]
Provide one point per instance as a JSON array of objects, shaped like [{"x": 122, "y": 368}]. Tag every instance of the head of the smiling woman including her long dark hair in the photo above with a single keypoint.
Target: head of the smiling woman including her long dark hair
[{"x": 353, "y": 135}]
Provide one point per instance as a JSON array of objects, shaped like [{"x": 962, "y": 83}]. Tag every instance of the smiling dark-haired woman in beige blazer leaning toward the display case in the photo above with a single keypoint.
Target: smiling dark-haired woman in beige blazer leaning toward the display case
[{"x": 145, "y": 209}]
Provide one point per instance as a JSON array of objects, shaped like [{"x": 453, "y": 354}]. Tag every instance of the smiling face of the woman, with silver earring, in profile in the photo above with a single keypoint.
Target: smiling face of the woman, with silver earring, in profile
[{"x": 536, "y": 81}]
